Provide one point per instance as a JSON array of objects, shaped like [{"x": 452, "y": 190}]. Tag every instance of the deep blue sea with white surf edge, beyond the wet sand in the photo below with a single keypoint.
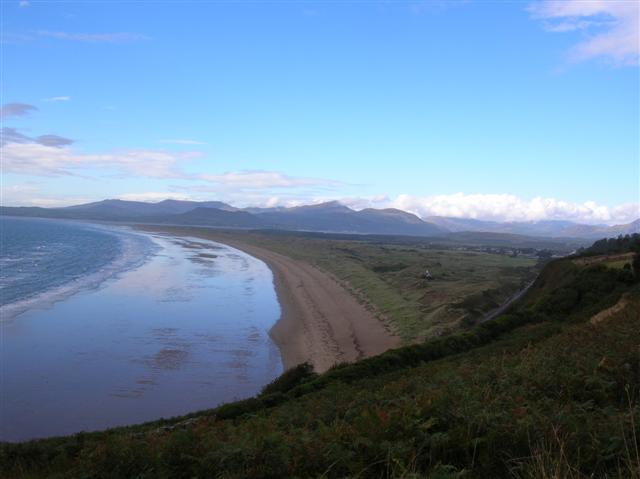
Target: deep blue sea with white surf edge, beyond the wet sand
[{"x": 42, "y": 261}]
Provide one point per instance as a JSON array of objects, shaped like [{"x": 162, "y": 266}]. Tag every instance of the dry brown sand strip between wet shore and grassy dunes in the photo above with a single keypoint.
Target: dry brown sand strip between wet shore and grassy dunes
[{"x": 321, "y": 321}]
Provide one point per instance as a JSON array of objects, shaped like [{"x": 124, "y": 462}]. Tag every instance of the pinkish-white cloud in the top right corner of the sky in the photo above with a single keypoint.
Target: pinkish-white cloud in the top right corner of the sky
[{"x": 612, "y": 27}]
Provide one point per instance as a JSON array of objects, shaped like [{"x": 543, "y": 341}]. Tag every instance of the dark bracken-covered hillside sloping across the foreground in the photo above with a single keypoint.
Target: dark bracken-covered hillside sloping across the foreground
[{"x": 547, "y": 390}]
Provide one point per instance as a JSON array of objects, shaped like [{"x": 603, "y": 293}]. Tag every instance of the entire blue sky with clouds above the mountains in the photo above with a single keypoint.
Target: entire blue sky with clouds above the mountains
[{"x": 492, "y": 110}]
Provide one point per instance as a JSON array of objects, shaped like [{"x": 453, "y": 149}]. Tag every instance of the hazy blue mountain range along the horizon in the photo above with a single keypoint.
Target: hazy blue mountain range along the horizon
[{"x": 331, "y": 217}]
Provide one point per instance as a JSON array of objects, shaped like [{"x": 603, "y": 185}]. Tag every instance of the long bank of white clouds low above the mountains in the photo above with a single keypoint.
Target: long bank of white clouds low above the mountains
[{"x": 54, "y": 156}]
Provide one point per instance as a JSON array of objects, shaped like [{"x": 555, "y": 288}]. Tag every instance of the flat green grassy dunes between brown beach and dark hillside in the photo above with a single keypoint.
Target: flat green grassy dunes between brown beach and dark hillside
[{"x": 389, "y": 277}]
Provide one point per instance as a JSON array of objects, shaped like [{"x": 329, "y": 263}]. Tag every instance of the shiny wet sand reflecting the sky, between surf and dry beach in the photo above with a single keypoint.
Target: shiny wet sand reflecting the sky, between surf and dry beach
[{"x": 185, "y": 331}]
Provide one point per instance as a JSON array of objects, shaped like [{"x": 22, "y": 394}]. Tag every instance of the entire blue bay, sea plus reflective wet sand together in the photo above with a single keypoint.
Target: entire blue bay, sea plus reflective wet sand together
[{"x": 131, "y": 327}]
